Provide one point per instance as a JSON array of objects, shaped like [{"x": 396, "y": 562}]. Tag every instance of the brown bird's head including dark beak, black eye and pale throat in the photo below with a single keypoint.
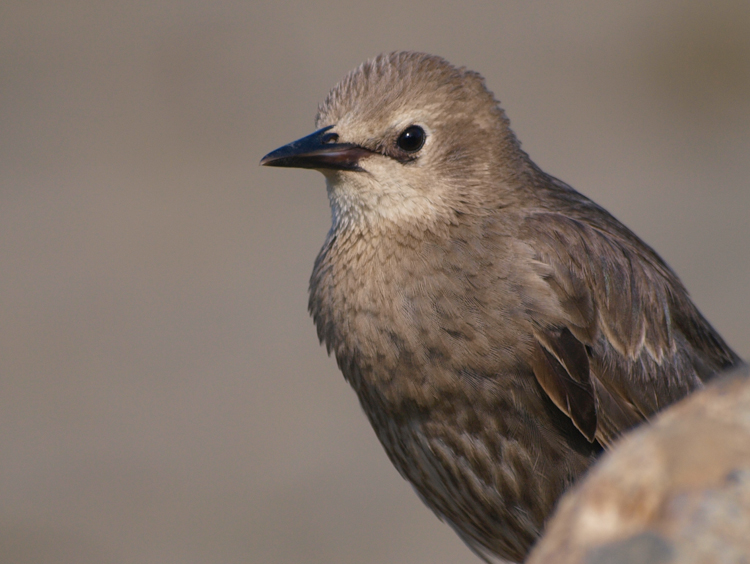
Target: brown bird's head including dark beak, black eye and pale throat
[{"x": 408, "y": 139}]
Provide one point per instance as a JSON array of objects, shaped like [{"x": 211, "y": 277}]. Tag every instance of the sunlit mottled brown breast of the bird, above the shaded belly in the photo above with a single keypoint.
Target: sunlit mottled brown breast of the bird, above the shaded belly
[{"x": 416, "y": 323}]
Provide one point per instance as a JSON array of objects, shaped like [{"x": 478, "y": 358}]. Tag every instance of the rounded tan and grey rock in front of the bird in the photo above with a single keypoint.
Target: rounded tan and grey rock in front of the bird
[{"x": 675, "y": 491}]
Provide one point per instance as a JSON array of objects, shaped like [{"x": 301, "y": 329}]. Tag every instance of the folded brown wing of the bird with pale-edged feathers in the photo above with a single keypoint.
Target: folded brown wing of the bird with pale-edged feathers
[{"x": 627, "y": 340}]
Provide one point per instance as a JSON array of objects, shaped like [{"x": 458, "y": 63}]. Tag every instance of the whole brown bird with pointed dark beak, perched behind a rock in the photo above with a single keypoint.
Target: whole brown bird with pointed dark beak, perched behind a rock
[{"x": 499, "y": 328}]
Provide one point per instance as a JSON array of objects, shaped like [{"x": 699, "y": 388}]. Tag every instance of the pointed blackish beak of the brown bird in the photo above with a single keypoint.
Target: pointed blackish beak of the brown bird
[{"x": 319, "y": 152}]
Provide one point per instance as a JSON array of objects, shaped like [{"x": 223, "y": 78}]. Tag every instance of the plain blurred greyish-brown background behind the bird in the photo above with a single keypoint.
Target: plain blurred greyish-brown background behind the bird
[{"x": 163, "y": 397}]
